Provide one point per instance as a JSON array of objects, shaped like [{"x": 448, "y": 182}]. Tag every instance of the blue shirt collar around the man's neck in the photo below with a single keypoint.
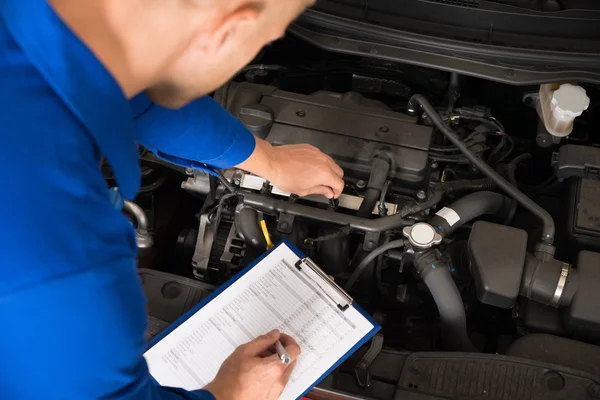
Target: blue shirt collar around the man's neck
[{"x": 81, "y": 81}]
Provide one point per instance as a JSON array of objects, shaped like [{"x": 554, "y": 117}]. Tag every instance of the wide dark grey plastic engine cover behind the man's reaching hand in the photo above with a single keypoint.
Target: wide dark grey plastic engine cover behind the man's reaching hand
[{"x": 348, "y": 127}]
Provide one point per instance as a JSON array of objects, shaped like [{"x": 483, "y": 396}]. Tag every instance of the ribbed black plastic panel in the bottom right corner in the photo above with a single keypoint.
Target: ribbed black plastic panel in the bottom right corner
[{"x": 459, "y": 376}]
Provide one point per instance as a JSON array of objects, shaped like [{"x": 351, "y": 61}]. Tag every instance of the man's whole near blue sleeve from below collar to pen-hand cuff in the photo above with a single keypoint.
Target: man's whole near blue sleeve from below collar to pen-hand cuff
[{"x": 72, "y": 309}]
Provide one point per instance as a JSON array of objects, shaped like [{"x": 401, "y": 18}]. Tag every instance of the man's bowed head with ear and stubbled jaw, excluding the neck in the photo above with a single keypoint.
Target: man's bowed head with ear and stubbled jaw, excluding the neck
[{"x": 229, "y": 36}]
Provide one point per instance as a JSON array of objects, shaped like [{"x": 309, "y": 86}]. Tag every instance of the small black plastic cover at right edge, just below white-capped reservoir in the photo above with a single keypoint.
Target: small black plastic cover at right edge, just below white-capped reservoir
[{"x": 578, "y": 161}]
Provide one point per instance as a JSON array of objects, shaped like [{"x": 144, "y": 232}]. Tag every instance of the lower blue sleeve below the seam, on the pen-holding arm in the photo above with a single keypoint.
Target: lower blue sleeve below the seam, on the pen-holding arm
[{"x": 80, "y": 337}]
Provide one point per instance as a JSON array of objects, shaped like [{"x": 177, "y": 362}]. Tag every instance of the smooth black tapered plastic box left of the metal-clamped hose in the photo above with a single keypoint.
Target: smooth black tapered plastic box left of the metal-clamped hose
[{"x": 497, "y": 254}]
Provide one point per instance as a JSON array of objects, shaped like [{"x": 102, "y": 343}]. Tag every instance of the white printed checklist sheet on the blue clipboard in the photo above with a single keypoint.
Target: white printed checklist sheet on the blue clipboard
[{"x": 272, "y": 295}]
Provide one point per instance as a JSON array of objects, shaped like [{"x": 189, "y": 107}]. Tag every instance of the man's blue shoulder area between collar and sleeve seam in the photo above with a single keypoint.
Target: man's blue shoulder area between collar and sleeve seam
[{"x": 57, "y": 219}]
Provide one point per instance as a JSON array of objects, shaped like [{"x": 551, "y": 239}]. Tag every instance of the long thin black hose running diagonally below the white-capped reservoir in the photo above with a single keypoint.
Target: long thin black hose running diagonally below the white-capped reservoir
[{"x": 549, "y": 229}]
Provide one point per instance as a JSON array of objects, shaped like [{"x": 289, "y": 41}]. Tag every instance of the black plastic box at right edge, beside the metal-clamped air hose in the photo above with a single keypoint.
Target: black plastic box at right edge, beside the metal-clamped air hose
[{"x": 583, "y": 315}]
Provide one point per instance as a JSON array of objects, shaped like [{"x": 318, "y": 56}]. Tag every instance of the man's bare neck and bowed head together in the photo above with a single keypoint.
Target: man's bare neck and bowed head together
[{"x": 177, "y": 50}]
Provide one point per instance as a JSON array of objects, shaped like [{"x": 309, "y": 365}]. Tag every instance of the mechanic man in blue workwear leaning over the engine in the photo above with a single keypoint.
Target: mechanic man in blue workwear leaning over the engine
[{"x": 71, "y": 306}]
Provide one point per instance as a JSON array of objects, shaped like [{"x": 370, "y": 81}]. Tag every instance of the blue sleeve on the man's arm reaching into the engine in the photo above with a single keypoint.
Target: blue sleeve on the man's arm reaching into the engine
[{"x": 200, "y": 135}]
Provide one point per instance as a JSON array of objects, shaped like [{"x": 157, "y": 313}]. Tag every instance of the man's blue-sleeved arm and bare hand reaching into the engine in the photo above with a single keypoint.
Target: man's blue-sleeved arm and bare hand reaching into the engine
[{"x": 203, "y": 133}]
